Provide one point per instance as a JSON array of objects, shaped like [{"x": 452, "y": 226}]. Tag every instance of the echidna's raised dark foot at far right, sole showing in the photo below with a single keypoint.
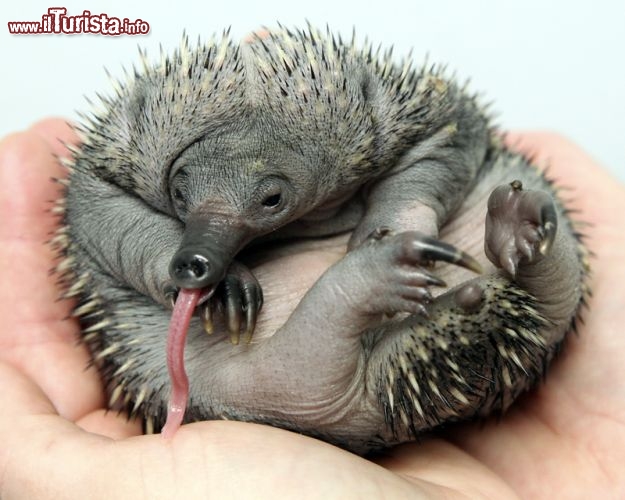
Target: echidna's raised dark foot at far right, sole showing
[{"x": 521, "y": 226}]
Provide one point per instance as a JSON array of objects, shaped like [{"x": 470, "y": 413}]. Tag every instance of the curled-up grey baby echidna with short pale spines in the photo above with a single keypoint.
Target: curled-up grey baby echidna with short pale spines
[{"x": 227, "y": 162}]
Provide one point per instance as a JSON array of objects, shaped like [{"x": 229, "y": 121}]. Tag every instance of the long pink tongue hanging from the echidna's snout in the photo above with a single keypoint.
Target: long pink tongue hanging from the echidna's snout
[{"x": 181, "y": 317}]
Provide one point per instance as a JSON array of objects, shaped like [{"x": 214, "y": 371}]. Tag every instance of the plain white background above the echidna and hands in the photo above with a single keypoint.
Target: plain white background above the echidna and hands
[{"x": 546, "y": 65}]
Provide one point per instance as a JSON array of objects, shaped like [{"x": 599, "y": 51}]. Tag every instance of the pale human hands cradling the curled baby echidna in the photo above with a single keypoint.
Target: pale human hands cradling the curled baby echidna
[{"x": 565, "y": 439}]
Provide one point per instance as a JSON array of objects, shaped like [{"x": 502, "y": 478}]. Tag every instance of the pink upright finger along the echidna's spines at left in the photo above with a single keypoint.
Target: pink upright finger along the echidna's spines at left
[{"x": 34, "y": 335}]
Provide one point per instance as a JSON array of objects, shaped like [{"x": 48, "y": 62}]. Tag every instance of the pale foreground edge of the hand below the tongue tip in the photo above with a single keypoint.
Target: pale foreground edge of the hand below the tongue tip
[{"x": 84, "y": 465}]
